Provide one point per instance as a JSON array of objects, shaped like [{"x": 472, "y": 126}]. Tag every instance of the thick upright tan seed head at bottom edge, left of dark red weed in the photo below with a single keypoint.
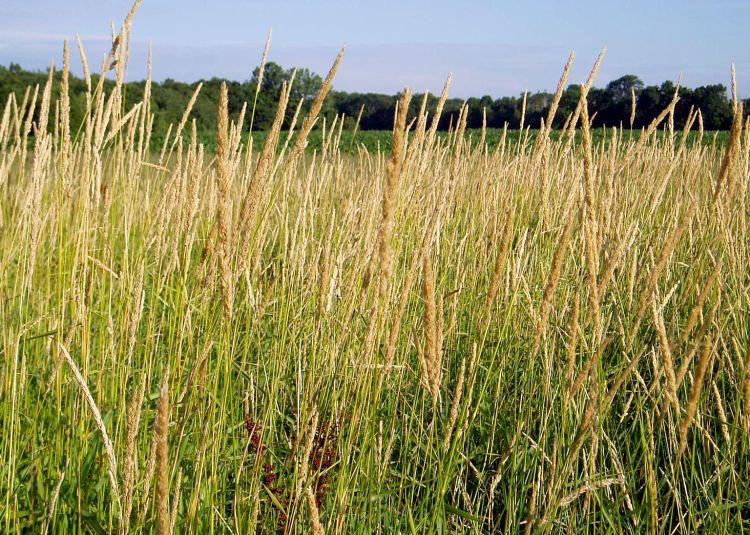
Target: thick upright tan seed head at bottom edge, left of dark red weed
[{"x": 161, "y": 432}]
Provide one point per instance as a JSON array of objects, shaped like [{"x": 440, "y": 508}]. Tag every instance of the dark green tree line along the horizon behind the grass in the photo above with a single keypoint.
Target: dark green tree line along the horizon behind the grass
[{"x": 612, "y": 103}]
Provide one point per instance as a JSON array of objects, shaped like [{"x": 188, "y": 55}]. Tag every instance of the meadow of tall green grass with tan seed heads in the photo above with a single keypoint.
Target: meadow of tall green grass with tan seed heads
[{"x": 531, "y": 333}]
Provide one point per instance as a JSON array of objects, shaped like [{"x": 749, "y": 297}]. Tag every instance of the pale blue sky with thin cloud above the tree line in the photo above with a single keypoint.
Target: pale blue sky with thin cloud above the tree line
[{"x": 492, "y": 48}]
